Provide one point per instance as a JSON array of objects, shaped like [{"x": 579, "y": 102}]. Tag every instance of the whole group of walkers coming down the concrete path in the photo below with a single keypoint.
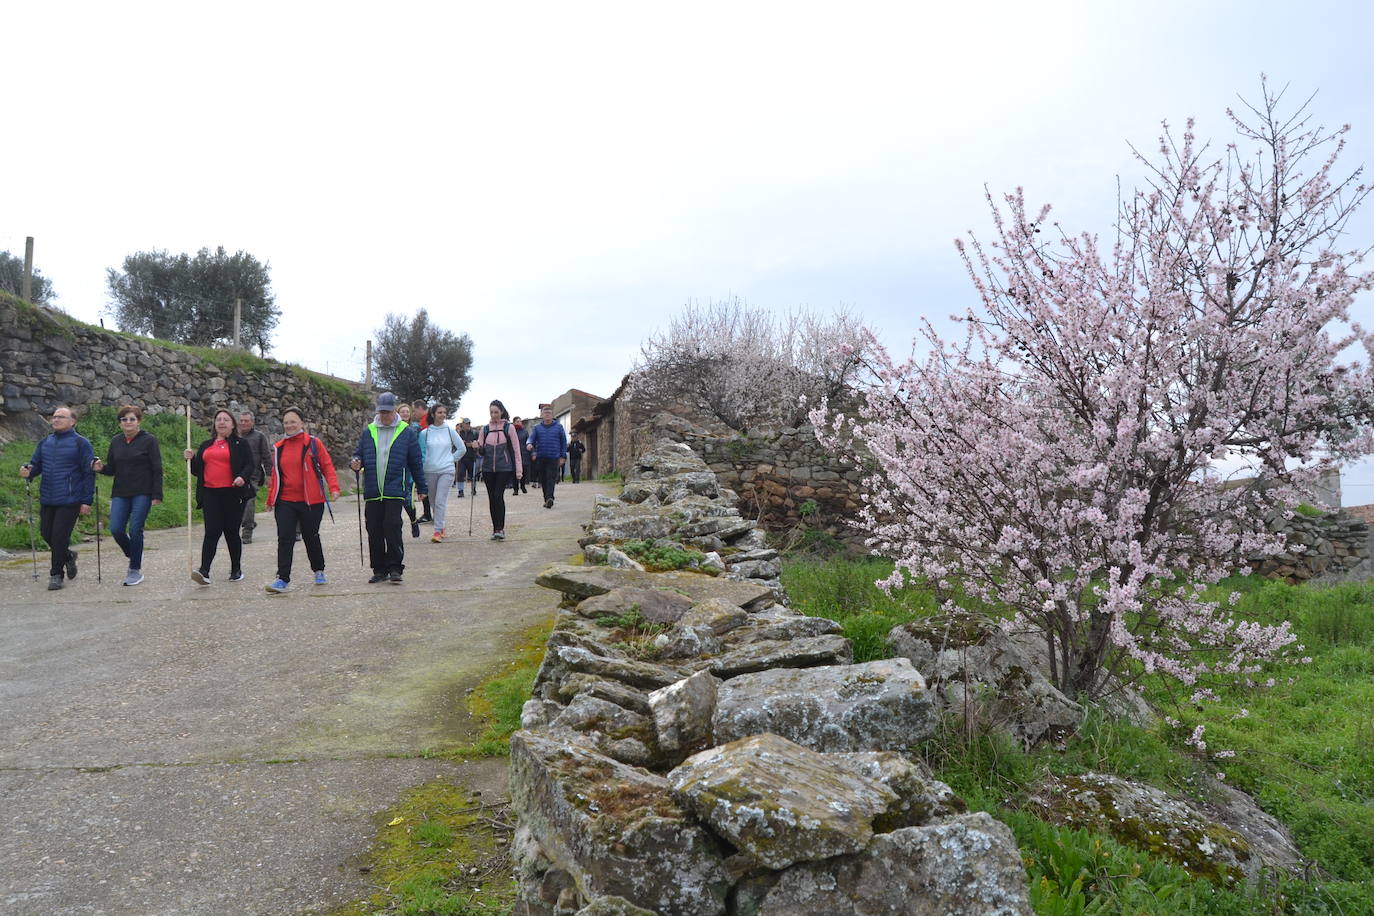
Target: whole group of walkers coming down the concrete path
[{"x": 407, "y": 451}]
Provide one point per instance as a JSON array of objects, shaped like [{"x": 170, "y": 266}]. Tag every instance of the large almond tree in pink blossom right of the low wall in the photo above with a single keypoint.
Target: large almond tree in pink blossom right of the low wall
[{"x": 1061, "y": 461}]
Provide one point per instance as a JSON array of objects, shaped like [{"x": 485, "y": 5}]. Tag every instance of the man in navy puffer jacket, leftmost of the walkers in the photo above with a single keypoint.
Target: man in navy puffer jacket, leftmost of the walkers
[{"x": 65, "y": 462}]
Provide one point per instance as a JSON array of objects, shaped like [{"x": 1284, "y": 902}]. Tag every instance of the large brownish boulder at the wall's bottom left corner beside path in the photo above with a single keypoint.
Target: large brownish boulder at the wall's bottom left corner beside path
[{"x": 616, "y": 830}]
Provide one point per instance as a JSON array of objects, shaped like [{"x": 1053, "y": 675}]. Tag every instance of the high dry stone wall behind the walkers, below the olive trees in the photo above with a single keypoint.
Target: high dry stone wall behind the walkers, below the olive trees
[{"x": 49, "y": 360}]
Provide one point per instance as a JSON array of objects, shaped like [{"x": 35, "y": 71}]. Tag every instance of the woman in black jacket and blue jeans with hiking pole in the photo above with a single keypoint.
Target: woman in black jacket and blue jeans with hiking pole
[{"x": 135, "y": 462}]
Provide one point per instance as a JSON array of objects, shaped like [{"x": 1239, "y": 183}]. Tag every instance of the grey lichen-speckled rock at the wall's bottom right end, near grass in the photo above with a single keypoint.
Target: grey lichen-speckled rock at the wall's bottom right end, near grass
[{"x": 964, "y": 866}]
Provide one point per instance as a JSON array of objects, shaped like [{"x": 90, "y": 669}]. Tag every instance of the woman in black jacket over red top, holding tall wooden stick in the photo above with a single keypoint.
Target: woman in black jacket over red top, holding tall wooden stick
[{"x": 223, "y": 466}]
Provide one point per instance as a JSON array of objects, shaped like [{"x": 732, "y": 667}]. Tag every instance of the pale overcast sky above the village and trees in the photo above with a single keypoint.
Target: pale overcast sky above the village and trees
[{"x": 557, "y": 181}]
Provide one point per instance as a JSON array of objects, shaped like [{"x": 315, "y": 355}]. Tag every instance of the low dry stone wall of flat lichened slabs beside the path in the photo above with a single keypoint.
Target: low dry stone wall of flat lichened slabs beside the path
[{"x": 695, "y": 746}]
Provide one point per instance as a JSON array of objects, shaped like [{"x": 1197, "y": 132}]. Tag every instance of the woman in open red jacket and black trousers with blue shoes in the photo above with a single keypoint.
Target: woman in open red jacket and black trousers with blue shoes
[{"x": 302, "y": 474}]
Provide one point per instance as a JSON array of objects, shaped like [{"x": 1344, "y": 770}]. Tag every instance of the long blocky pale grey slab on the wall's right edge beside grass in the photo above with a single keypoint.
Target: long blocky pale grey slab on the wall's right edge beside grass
[{"x": 877, "y": 707}]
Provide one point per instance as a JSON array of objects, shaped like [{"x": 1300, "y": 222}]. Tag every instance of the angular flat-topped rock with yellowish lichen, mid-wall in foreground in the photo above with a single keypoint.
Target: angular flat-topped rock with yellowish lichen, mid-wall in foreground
[{"x": 781, "y": 803}]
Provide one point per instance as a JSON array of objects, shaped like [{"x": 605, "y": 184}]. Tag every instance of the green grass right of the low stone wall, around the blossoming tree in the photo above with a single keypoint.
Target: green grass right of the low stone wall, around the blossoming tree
[{"x": 1305, "y": 751}]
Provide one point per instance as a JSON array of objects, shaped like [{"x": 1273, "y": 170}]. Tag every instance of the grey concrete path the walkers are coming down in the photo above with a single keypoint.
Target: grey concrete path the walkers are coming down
[{"x": 178, "y": 749}]
